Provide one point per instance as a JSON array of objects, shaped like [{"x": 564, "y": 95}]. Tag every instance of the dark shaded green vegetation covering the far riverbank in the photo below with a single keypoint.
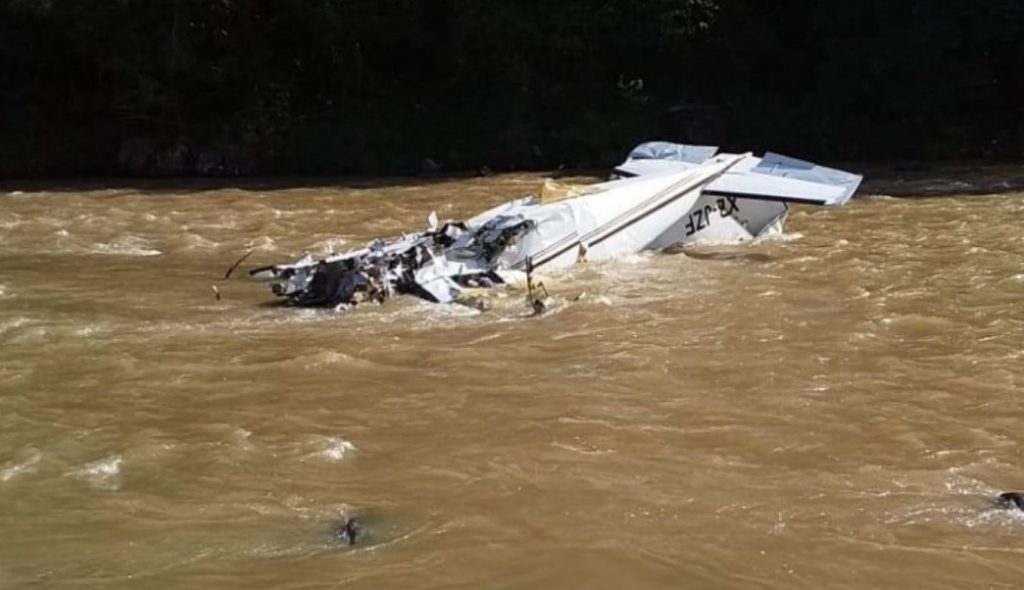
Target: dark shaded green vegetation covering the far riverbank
[{"x": 378, "y": 87}]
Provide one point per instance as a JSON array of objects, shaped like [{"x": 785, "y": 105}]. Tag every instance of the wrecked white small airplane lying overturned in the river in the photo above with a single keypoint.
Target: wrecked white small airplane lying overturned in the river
[{"x": 665, "y": 195}]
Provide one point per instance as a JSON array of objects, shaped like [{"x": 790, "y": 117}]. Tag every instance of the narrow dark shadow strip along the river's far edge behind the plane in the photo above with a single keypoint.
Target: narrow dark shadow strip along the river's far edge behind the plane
[{"x": 905, "y": 180}]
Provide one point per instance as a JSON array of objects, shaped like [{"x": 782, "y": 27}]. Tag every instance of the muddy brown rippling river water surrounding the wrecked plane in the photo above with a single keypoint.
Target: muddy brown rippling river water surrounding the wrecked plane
[{"x": 832, "y": 409}]
